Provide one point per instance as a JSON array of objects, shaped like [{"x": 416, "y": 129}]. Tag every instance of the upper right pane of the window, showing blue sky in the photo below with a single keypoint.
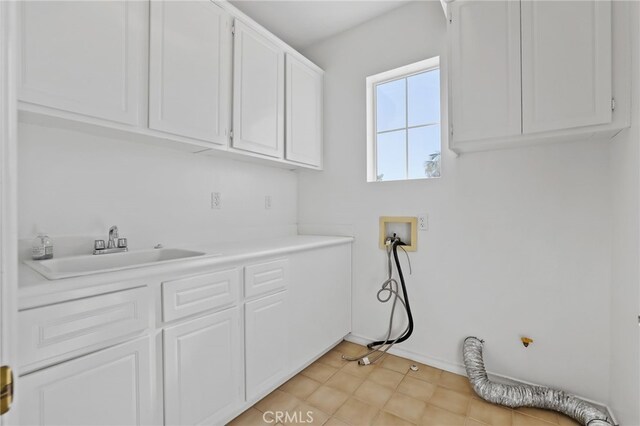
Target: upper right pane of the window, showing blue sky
[{"x": 424, "y": 98}]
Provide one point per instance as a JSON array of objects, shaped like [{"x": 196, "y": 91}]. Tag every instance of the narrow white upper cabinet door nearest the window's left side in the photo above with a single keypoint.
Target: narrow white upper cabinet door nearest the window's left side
[{"x": 304, "y": 113}]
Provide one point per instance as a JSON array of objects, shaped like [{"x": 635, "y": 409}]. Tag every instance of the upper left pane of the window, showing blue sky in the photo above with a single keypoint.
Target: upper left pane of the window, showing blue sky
[{"x": 390, "y": 105}]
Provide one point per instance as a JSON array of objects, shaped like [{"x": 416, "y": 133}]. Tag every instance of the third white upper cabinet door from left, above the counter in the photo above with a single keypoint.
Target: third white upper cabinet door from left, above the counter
[{"x": 258, "y": 93}]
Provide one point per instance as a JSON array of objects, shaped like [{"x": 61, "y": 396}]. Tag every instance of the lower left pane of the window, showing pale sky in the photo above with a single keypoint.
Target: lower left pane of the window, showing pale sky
[{"x": 392, "y": 156}]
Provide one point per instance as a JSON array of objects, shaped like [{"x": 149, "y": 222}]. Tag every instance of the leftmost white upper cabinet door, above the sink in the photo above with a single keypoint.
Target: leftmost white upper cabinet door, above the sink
[{"x": 85, "y": 57}]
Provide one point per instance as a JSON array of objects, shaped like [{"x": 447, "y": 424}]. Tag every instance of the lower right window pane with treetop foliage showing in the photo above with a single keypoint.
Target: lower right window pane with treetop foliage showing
[{"x": 424, "y": 152}]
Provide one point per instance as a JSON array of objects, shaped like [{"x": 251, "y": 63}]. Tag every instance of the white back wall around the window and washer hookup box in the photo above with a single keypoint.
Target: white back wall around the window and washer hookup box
[{"x": 519, "y": 241}]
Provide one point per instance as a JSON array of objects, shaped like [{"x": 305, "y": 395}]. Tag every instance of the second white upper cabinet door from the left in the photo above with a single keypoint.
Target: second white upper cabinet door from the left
[{"x": 190, "y": 70}]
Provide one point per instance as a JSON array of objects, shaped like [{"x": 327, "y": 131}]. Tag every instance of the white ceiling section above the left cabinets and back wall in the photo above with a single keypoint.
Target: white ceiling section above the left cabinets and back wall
[{"x": 300, "y": 23}]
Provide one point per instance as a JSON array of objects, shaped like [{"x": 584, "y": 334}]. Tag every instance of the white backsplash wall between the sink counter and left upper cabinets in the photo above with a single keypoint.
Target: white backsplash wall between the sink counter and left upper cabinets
[{"x": 76, "y": 184}]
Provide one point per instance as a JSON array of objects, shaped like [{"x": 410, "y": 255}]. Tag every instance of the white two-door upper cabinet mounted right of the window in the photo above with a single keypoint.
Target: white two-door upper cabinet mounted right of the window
[{"x": 523, "y": 72}]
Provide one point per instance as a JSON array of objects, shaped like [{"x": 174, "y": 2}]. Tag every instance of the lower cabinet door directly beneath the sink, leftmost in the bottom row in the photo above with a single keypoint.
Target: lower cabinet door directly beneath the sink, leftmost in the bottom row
[{"x": 109, "y": 387}]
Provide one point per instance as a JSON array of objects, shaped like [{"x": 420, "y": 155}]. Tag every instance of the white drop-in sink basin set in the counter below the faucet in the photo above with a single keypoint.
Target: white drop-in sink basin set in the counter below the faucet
[{"x": 74, "y": 266}]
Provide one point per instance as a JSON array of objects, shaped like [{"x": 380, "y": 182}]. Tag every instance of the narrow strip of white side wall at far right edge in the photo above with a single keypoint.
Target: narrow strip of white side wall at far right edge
[{"x": 625, "y": 294}]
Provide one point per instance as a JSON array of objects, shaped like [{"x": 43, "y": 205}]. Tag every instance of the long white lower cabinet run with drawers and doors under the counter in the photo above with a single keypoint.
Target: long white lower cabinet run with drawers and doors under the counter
[{"x": 213, "y": 351}]
